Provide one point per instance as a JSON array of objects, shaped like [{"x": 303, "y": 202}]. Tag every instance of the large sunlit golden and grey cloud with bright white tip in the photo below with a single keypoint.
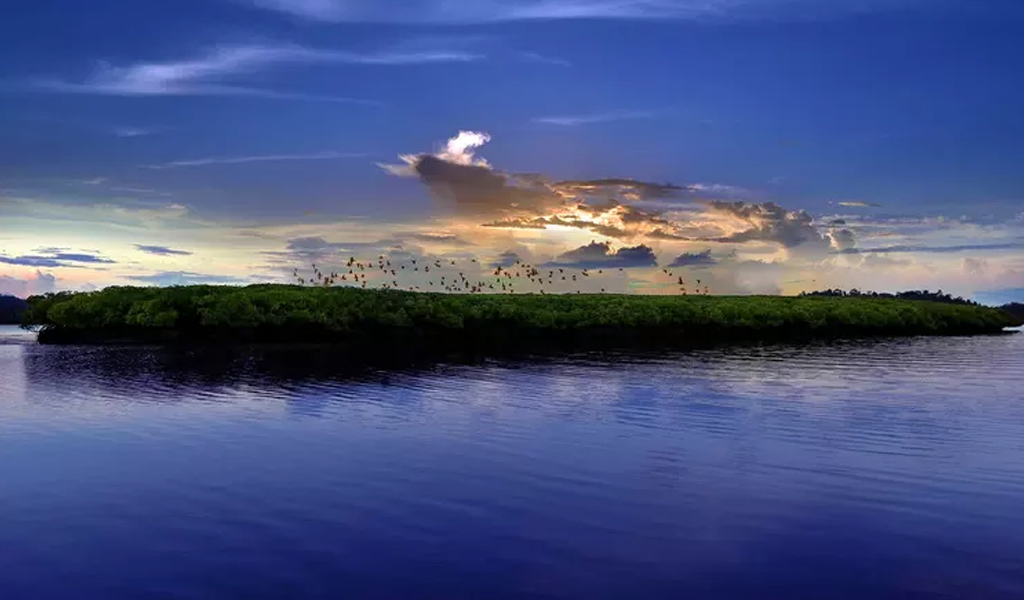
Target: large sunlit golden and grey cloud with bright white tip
[{"x": 614, "y": 207}]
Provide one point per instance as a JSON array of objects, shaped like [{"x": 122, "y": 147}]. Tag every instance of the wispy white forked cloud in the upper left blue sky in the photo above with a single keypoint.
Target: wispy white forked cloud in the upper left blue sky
[{"x": 206, "y": 75}]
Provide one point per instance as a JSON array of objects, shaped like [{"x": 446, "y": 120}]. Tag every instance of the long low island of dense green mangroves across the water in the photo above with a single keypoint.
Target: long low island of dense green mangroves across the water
[{"x": 387, "y": 320}]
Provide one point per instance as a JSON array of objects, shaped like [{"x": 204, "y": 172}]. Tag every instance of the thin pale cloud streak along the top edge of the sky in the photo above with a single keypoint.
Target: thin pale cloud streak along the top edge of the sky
[{"x": 443, "y": 12}]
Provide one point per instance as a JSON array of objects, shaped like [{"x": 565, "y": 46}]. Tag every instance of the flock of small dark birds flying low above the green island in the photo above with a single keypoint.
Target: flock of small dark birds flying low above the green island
[{"x": 451, "y": 277}]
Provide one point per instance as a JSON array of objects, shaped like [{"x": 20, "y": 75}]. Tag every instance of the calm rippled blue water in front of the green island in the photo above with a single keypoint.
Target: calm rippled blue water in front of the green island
[{"x": 854, "y": 470}]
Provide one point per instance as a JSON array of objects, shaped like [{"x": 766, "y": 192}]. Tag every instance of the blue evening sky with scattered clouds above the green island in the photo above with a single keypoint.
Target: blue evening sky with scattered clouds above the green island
[{"x": 762, "y": 147}]
